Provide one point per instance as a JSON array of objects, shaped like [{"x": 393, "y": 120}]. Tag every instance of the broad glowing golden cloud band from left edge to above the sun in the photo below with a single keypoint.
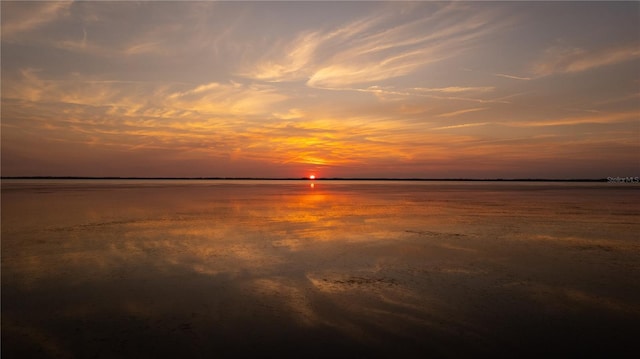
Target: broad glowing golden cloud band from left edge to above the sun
[{"x": 219, "y": 120}]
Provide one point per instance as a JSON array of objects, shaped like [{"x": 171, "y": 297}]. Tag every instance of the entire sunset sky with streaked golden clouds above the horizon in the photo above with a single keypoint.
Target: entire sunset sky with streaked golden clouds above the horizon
[{"x": 336, "y": 89}]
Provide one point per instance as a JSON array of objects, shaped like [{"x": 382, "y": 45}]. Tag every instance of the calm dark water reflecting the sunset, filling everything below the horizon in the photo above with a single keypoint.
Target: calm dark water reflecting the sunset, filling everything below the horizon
[{"x": 206, "y": 269}]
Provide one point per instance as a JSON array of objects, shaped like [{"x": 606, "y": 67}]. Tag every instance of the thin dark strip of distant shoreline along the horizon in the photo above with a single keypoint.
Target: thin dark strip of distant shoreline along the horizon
[{"x": 307, "y": 179}]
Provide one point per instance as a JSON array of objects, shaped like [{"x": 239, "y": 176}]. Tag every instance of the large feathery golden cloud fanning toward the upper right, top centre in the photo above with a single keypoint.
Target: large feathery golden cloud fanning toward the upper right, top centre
[{"x": 372, "y": 49}]
